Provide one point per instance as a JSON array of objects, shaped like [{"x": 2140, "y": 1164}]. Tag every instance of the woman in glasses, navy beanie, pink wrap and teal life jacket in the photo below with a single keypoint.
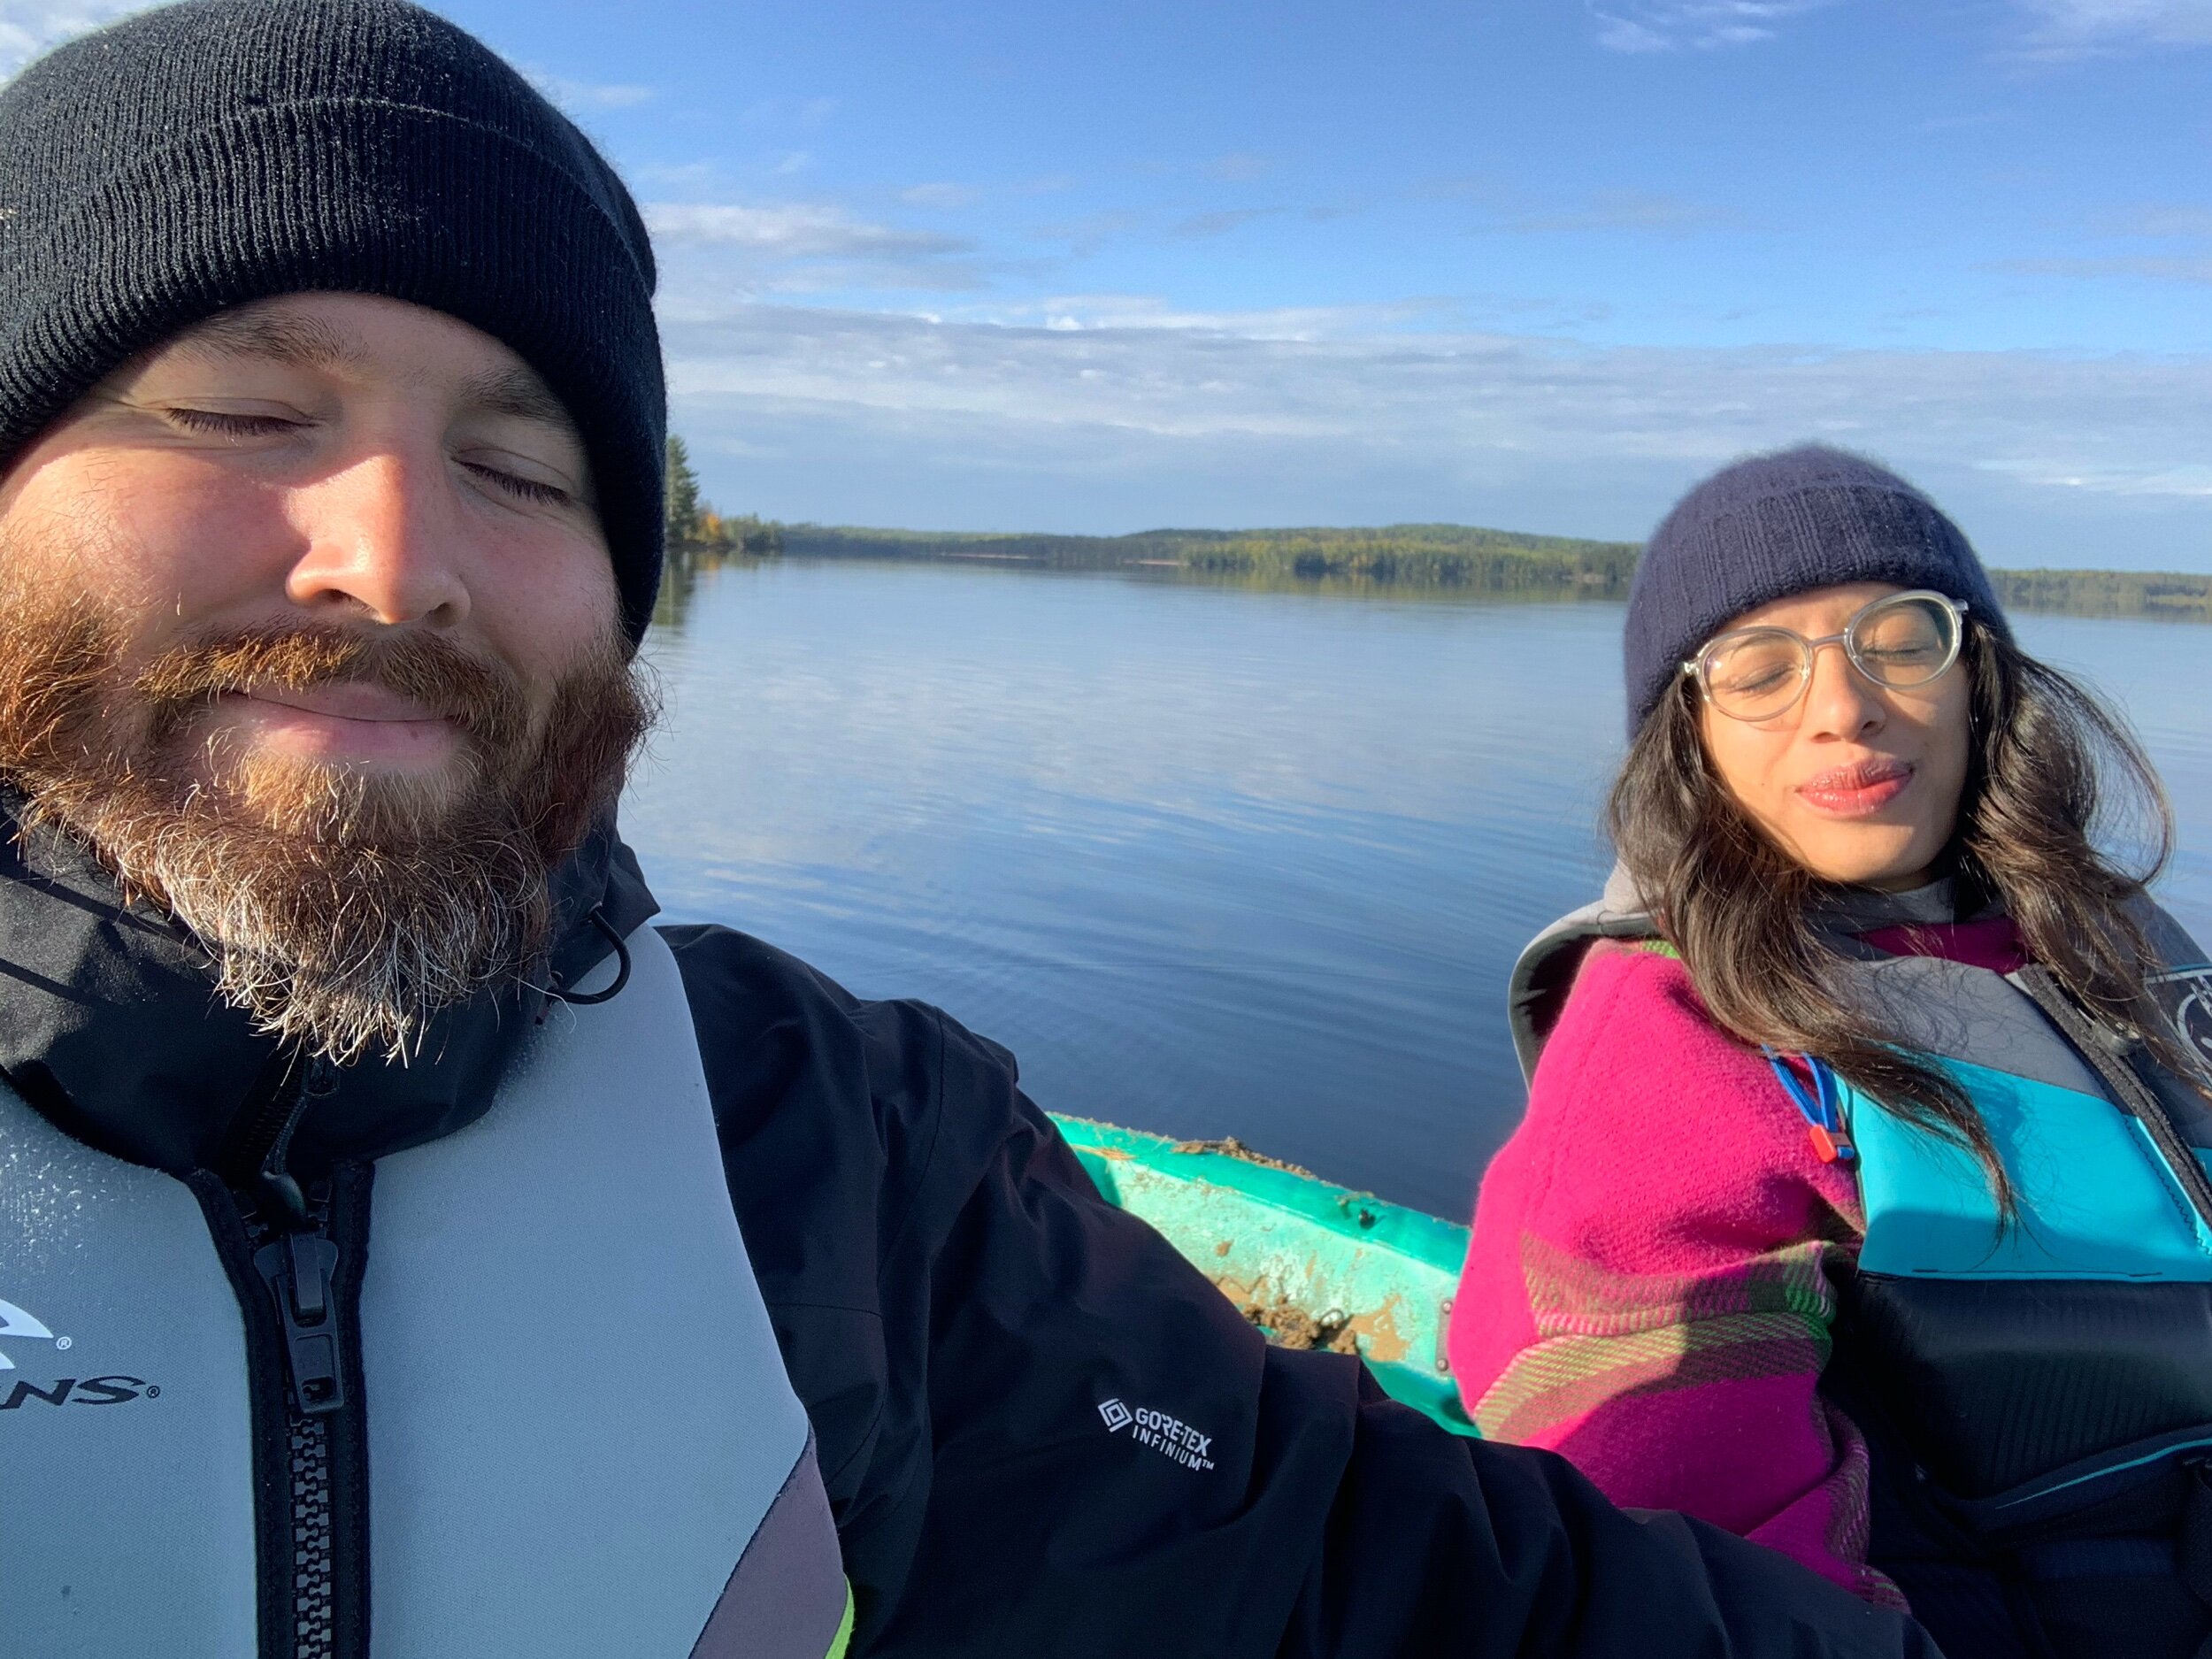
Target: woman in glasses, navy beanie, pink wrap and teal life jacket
[{"x": 1861, "y": 1204}]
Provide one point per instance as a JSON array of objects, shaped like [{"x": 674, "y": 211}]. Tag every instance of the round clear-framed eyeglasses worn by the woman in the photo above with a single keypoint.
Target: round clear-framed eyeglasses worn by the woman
[{"x": 1899, "y": 643}]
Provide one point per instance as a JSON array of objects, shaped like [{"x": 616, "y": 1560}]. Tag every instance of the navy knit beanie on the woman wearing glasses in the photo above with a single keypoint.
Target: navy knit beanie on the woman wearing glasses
[{"x": 1777, "y": 525}]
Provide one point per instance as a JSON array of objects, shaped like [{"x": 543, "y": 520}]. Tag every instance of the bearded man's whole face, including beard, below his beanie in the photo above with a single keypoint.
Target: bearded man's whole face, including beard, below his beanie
[{"x": 309, "y": 629}]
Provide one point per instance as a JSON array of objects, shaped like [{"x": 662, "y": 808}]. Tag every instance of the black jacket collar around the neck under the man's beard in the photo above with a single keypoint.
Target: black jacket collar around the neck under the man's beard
[{"x": 112, "y": 1027}]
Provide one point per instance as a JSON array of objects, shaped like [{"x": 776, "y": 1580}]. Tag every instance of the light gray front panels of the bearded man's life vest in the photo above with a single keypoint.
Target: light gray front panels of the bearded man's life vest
[{"x": 581, "y": 1437}]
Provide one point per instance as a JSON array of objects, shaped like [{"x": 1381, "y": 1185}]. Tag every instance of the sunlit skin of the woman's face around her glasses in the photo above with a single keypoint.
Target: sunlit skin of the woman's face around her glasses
[{"x": 1857, "y": 782}]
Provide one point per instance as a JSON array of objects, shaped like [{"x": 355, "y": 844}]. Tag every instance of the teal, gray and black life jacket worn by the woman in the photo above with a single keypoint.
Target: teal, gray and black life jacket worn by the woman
[{"x": 2038, "y": 1395}]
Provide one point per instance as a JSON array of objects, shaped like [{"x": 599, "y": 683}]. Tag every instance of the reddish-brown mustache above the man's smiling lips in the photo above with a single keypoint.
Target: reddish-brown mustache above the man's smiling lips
[{"x": 479, "y": 698}]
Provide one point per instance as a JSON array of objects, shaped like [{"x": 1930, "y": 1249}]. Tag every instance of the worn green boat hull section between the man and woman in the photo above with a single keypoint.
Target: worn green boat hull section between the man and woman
[{"x": 1311, "y": 1264}]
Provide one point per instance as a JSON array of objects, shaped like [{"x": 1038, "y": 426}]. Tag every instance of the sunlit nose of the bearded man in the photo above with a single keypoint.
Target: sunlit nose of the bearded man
[{"x": 382, "y": 543}]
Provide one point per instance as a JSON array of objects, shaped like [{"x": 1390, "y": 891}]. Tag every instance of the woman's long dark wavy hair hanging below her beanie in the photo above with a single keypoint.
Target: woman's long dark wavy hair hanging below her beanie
[{"x": 2049, "y": 775}]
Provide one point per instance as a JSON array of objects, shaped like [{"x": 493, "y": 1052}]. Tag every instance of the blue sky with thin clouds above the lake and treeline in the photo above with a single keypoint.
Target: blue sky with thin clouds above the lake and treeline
[{"x": 1538, "y": 264}]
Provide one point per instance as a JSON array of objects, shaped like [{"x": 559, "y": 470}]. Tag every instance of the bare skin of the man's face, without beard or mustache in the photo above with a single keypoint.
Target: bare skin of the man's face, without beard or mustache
[{"x": 324, "y": 461}]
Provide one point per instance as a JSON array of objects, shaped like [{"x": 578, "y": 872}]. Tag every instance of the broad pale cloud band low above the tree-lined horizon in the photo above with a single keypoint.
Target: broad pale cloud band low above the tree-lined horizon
[{"x": 1149, "y": 384}]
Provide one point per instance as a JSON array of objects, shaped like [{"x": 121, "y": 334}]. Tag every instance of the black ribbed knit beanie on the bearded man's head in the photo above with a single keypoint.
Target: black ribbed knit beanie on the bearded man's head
[{"x": 222, "y": 152}]
